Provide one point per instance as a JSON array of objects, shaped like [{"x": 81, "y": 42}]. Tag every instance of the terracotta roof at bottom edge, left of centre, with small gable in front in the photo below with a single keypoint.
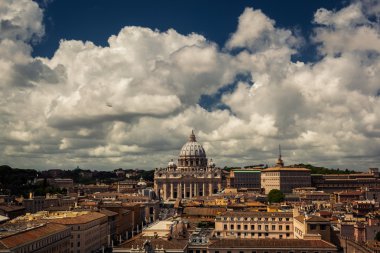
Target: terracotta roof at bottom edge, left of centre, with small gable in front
[{"x": 155, "y": 242}]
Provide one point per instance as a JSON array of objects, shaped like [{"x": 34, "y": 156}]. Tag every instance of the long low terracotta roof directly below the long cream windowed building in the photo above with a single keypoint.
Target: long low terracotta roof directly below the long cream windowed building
[{"x": 271, "y": 243}]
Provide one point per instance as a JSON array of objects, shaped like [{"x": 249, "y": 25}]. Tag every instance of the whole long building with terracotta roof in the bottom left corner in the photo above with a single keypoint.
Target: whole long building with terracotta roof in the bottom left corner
[{"x": 39, "y": 238}]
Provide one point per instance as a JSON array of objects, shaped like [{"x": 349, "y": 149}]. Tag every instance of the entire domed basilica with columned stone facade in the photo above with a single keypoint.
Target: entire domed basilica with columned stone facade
[{"x": 192, "y": 176}]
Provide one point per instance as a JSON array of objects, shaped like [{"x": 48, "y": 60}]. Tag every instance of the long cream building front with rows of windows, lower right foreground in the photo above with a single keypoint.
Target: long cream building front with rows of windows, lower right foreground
[{"x": 254, "y": 225}]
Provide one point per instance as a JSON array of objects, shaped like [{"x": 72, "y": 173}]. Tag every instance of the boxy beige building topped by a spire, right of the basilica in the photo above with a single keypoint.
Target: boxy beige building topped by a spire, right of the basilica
[{"x": 284, "y": 178}]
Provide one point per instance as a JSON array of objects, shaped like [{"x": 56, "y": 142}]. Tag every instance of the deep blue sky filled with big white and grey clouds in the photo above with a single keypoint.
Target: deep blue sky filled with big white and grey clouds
[{"x": 121, "y": 84}]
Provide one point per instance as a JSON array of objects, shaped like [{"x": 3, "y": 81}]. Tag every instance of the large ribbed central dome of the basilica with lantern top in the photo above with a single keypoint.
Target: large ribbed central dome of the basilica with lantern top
[{"x": 192, "y": 154}]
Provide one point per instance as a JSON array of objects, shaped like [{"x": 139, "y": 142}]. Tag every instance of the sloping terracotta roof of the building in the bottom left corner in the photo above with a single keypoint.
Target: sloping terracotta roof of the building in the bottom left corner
[{"x": 30, "y": 235}]
